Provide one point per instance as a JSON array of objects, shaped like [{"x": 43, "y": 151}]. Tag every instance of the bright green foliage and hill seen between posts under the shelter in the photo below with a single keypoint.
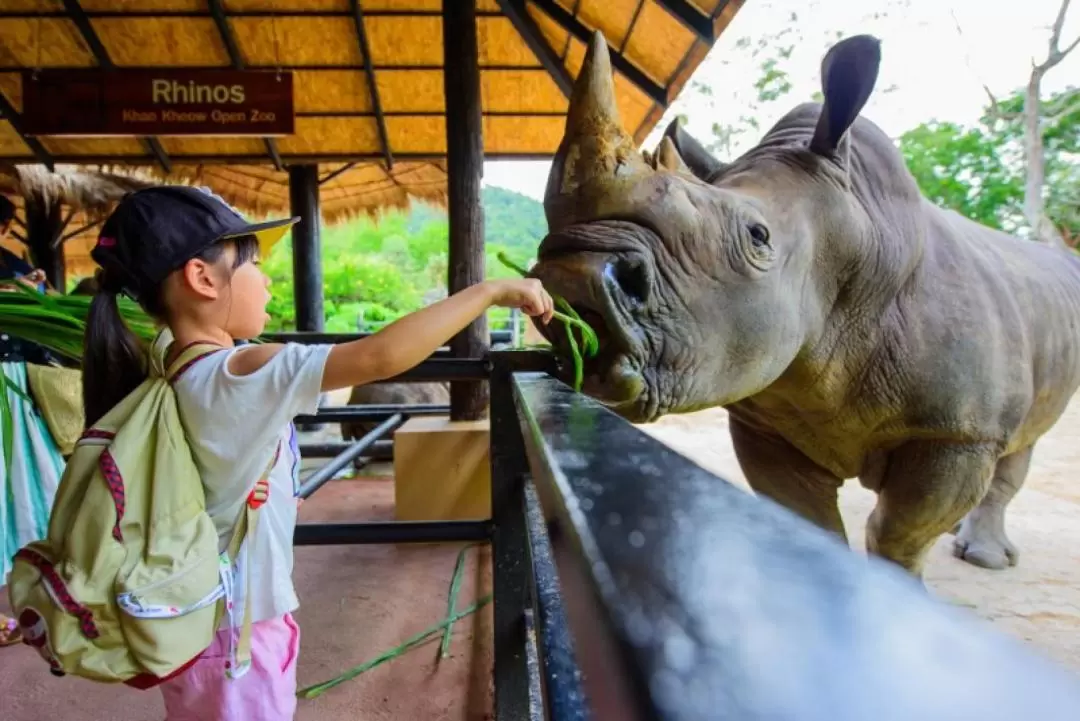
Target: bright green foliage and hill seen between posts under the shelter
[{"x": 376, "y": 273}]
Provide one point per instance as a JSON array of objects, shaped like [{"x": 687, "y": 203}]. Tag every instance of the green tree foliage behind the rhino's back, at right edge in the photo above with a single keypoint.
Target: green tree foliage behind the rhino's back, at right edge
[{"x": 980, "y": 171}]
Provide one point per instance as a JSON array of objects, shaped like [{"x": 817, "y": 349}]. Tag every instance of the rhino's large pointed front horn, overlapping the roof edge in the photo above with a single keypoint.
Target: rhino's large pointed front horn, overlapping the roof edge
[{"x": 597, "y": 155}]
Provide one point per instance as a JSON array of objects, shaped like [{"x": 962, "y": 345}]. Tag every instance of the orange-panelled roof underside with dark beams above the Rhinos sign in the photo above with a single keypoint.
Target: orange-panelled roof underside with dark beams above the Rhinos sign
[{"x": 531, "y": 50}]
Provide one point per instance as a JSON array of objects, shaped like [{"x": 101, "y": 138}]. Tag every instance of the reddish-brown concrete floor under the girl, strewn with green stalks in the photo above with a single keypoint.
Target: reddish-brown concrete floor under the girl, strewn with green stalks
[{"x": 356, "y": 603}]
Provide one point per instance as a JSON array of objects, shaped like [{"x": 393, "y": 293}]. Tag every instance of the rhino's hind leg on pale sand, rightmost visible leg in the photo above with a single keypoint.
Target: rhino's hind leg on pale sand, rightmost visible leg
[{"x": 982, "y": 540}]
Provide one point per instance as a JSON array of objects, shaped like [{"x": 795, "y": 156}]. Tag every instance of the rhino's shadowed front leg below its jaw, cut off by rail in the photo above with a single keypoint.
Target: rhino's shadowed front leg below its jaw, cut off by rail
[{"x": 776, "y": 469}]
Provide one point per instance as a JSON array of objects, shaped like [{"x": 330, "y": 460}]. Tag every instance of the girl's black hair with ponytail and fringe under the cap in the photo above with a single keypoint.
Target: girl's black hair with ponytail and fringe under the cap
[{"x": 114, "y": 360}]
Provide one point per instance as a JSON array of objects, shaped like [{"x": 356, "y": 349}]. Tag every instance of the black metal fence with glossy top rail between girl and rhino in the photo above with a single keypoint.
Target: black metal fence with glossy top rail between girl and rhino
[{"x": 631, "y": 583}]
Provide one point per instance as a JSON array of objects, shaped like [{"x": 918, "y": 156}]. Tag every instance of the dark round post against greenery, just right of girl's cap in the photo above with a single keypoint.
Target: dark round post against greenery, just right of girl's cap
[{"x": 307, "y": 250}]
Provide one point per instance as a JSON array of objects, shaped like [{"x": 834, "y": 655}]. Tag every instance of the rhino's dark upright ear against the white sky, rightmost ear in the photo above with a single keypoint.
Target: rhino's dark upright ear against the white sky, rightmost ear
[{"x": 848, "y": 74}]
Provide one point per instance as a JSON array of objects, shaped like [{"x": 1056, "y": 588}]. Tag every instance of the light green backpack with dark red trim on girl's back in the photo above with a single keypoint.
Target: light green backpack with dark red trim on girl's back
[{"x": 129, "y": 586}]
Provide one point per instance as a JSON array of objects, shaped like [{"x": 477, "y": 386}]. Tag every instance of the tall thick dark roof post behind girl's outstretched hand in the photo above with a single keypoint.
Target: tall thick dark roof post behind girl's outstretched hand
[{"x": 465, "y": 161}]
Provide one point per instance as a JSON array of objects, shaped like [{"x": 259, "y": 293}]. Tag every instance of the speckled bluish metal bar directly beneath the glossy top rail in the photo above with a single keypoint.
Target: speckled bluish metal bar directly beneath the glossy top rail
[{"x": 564, "y": 693}]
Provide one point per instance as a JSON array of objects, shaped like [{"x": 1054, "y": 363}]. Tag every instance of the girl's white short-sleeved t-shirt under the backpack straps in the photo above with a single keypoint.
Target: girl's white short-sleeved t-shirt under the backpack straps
[{"x": 234, "y": 425}]
